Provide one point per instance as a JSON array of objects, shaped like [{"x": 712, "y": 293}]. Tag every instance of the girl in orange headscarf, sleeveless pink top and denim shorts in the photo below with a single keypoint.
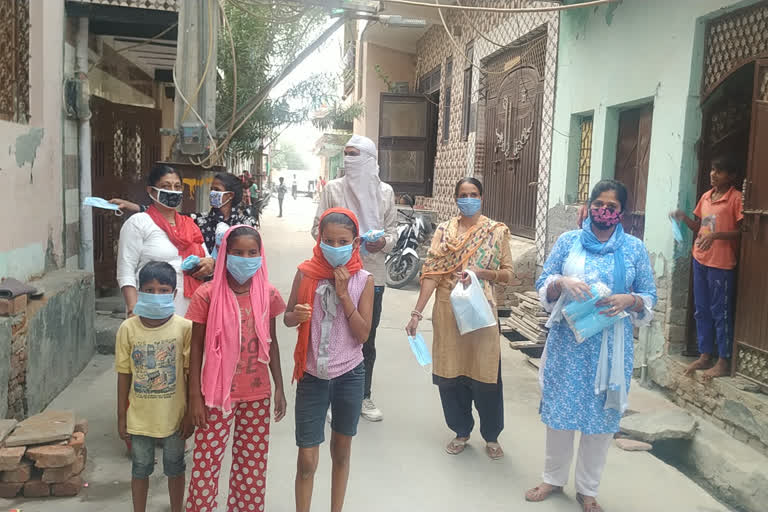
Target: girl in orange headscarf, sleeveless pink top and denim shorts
[{"x": 332, "y": 304}]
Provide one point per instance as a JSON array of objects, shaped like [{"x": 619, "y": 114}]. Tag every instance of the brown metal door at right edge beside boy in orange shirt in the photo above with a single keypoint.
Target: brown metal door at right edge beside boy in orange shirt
[{"x": 751, "y": 333}]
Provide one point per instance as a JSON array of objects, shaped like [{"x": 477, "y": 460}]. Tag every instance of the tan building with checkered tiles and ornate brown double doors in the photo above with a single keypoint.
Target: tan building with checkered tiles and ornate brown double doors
[{"x": 471, "y": 94}]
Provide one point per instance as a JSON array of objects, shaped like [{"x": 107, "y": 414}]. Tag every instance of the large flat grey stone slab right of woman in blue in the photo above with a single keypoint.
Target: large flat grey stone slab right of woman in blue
[{"x": 659, "y": 425}]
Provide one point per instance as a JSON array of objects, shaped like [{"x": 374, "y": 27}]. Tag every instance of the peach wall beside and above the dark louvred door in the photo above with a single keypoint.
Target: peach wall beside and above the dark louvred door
[{"x": 397, "y": 66}]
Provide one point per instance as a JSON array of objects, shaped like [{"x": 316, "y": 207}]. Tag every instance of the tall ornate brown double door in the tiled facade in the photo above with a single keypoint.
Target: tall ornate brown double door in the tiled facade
[{"x": 513, "y": 127}]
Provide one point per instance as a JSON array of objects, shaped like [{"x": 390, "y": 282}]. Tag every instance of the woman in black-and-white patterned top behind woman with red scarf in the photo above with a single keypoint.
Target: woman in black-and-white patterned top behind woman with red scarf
[{"x": 227, "y": 207}]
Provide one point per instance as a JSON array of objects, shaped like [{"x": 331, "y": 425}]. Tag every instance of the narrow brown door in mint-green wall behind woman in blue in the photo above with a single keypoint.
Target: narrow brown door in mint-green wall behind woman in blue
[{"x": 632, "y": 152}]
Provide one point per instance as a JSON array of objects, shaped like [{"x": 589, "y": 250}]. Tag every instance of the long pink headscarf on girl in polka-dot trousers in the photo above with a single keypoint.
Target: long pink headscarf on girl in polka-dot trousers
[{"x": 223, "y": 329}]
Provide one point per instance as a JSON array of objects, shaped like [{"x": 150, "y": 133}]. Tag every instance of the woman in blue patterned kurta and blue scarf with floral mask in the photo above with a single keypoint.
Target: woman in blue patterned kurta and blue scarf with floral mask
[{"x": 584, "y": 385}]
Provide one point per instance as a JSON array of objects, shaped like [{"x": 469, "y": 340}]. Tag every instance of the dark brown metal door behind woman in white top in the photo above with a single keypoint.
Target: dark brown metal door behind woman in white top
[{"x": 125, "y": 142}]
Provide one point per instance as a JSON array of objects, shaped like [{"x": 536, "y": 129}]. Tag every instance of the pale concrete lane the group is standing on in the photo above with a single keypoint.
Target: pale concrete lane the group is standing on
[{"x": 398, "y": 464}]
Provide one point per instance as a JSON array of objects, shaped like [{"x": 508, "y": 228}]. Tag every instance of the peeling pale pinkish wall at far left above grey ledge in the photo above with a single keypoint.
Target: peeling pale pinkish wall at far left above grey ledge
[{"x": 31, "y": 157}]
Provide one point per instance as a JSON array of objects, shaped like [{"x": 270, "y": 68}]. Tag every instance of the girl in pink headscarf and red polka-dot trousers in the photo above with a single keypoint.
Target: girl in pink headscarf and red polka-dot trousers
[{"x": 233, "y": 350}]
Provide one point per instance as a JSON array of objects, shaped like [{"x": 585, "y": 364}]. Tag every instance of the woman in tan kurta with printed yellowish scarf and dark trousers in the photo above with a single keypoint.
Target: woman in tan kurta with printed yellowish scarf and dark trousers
[{"x": 466, "y": 368}]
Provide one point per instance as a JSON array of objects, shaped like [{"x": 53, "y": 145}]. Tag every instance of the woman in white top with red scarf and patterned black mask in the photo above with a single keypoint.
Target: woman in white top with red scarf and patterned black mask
[{"x": 161, "y": 234}]
